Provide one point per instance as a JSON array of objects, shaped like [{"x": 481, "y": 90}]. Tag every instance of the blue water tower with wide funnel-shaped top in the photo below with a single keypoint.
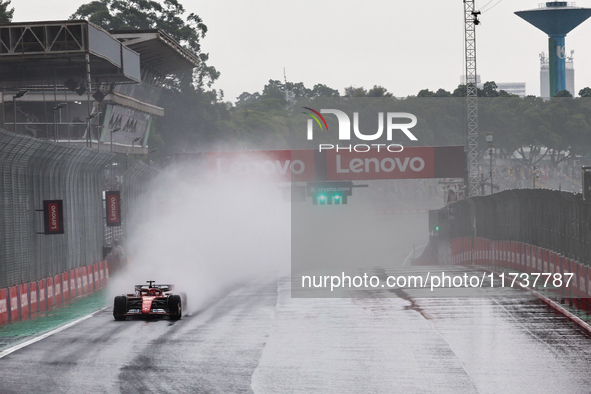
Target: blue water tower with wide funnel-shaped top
[{"x": 556, "y": 19}]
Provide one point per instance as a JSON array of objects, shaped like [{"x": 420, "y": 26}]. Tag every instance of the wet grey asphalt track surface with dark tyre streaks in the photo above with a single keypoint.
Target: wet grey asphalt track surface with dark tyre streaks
[{"x": 258, "y": 338}]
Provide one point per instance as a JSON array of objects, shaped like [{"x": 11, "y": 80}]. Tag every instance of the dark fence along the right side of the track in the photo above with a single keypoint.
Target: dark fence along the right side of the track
[{"x": 554, "y": 220}]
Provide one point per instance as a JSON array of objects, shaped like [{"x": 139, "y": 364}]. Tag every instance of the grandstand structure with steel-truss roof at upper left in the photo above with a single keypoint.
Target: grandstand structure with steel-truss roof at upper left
[{"x": 73, "y": 82}]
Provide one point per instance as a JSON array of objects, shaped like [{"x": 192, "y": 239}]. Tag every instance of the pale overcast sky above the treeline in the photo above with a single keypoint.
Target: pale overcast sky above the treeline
[{"x": 404, "y": 46}]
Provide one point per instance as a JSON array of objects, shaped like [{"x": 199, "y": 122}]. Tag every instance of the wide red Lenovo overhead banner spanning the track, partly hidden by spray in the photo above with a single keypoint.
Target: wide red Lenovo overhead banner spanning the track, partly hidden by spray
[{"x": 347, "y": 163}]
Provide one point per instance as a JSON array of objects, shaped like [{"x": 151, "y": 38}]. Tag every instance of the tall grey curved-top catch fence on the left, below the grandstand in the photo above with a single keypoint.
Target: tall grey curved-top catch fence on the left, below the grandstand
[{"x": 32, "y": 171}]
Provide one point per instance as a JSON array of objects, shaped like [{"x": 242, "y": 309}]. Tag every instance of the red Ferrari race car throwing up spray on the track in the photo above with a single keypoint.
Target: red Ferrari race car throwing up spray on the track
[{"x": 149, "y": 300}]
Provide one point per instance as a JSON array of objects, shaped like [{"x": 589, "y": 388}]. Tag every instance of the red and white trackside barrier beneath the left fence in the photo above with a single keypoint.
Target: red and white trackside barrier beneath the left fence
[{"x": 29, "y": 300}]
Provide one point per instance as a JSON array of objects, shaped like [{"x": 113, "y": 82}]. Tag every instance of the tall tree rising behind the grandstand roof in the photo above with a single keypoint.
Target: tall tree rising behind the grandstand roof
[{"x": 151, "y": 14}]
